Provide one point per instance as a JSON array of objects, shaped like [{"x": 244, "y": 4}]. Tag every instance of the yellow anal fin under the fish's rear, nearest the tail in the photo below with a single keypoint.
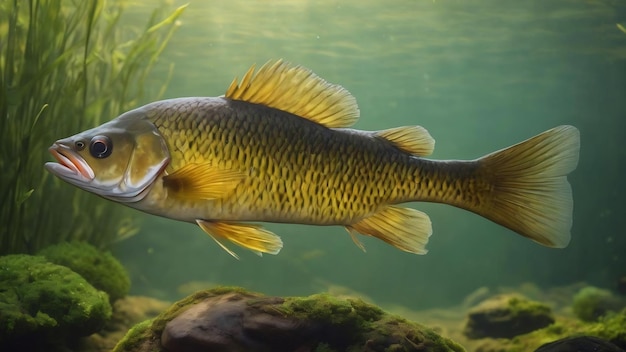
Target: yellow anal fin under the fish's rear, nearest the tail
[{"x": 404, "y": 228}]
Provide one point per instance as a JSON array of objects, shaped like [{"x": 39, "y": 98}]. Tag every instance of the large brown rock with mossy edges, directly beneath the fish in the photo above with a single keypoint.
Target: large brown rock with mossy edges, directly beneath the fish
[{"x": 232, "y": 319}]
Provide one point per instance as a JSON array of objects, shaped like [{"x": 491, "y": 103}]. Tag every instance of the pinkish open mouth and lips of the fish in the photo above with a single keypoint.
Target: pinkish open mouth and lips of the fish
[{"x": 69, "y": 163}]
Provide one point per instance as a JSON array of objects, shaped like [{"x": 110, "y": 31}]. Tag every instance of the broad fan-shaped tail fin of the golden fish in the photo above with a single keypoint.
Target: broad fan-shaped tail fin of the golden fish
[{"x": 530, "y": 193}]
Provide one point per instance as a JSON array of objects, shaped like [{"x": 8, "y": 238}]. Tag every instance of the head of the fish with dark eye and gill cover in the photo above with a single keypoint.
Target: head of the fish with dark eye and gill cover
[{"x": 118, "y": 160}]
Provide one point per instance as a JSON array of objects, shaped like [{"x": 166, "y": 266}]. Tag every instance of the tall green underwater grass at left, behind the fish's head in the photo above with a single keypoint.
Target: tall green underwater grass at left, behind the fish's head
[{"x": 65, "y": 66}]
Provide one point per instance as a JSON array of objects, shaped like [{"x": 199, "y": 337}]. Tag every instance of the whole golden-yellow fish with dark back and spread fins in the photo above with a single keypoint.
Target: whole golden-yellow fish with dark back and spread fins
[{"x": 277, "y": 147}]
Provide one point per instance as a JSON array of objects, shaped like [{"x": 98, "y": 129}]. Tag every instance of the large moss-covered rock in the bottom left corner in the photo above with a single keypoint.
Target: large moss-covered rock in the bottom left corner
[{"x": 43, "y": 304}]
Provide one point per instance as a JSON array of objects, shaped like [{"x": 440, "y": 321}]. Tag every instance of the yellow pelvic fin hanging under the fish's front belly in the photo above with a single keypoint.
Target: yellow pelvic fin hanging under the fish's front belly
[{"x": 252, "y": 237}]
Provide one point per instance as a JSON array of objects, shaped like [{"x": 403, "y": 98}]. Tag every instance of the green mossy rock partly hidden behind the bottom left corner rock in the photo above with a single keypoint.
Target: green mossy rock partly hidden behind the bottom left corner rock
[{"x": 100, "y": 269}]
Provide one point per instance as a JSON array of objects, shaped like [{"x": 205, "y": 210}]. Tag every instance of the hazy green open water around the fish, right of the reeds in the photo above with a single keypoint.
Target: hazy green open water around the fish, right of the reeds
[{"x": 479, "y": 75}]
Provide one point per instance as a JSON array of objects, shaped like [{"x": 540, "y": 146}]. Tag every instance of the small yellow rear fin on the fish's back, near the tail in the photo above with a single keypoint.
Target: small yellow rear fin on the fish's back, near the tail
[{"x": 412, "y": 139}]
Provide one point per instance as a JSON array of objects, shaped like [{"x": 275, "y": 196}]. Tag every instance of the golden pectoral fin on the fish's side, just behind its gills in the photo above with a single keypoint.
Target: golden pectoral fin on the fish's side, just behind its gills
[{"x": 202, "y": 181}]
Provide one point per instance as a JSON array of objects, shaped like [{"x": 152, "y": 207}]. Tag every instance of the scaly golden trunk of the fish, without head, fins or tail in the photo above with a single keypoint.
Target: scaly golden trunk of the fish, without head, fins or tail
[{"x": 295, "y": 170}]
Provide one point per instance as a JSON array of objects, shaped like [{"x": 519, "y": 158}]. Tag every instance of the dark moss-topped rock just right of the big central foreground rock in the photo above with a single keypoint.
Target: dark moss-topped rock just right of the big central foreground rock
[{"x": 506, "y": 316}]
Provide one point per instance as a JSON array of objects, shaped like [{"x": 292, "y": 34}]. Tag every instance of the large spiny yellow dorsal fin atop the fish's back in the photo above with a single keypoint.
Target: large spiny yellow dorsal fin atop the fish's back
[{"x": 296, "y": 90}]
